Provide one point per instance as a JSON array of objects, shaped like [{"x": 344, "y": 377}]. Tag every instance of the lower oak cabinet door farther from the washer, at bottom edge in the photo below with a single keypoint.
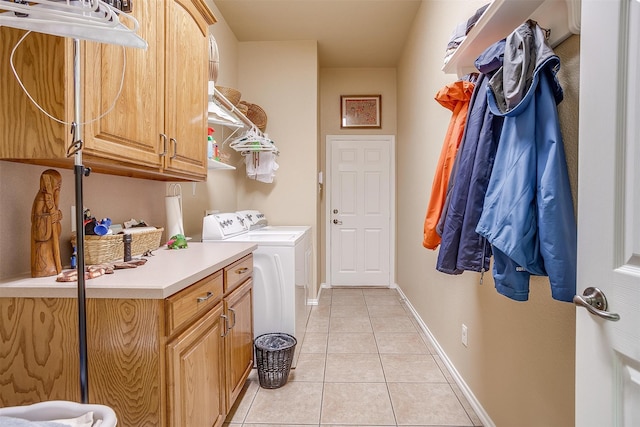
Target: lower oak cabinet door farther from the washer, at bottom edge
[{"x": 195, "y": 363}]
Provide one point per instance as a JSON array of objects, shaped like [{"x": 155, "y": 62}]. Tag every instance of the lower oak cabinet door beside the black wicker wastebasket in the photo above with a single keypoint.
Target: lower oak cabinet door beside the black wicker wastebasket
[{"x": 239, "y": 340}]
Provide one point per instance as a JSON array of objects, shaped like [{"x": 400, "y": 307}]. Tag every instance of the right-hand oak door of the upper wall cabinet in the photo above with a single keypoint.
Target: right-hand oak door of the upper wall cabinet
[{"x": 187, "y": 61}]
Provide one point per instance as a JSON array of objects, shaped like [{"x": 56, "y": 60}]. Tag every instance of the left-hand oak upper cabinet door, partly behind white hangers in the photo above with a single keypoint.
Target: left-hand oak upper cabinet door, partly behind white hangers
[{"x": 130, "y": 133}]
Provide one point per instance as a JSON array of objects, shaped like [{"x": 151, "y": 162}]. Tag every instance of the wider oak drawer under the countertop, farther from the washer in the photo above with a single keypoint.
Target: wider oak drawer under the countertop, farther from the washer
[{"x": 194, "y": 300}]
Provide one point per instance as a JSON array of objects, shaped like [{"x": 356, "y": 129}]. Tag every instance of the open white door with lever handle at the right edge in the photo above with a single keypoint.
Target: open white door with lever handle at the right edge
[{"x": 608, "y": 352}]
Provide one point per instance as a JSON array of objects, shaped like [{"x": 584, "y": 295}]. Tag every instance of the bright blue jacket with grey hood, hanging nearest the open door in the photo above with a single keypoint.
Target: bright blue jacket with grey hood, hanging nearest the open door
[{"x": 528, "y": 210}]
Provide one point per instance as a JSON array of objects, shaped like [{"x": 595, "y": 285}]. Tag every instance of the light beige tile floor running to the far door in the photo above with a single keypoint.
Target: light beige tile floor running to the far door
[{"x": 363, "y": 362}]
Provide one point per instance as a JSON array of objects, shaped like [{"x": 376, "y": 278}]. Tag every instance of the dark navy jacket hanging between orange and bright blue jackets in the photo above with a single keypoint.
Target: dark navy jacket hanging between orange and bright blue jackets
[{"x": 461, "y": 247}]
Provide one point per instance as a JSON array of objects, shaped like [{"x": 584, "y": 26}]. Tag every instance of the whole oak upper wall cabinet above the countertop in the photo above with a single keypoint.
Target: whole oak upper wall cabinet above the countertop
[{"x": 164, "y": 93}]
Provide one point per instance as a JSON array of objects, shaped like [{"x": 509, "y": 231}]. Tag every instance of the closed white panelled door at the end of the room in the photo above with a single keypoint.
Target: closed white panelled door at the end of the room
[{"x": 360, "y": 189}]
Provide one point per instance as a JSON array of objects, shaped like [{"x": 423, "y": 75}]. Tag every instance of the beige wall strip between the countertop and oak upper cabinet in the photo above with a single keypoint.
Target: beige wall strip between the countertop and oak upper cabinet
[{"x": 115, "y": 197}]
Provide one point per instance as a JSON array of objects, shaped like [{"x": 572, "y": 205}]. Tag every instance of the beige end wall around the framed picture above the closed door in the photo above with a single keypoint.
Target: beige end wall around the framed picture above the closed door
[{"x": 351, "y": 81}]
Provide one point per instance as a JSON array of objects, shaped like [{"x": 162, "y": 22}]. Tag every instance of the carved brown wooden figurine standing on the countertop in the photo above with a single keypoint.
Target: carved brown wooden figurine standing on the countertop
[{"x": 46, "y": 226}]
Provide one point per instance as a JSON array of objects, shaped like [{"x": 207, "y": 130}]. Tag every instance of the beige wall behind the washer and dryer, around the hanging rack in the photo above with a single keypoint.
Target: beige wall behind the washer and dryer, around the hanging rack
[{"x": 282, "y": 78}]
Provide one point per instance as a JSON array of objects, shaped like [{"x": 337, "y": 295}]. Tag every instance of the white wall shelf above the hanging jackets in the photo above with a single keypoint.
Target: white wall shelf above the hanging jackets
[{"x": 562, "y": 17}]
